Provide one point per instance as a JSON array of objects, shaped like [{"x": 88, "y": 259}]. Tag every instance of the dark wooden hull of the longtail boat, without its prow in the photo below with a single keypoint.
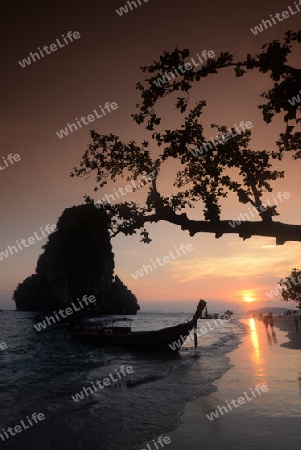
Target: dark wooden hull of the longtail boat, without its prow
[{"x": 163, "y": 339}]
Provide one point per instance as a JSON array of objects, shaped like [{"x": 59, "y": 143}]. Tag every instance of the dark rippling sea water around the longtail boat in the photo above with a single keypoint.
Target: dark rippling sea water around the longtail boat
[{"x": 41, "y": 371}]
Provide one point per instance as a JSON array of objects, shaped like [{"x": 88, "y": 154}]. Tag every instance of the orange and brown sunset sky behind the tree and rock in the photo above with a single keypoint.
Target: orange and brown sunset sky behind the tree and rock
[{"x": 103, "y": 65}]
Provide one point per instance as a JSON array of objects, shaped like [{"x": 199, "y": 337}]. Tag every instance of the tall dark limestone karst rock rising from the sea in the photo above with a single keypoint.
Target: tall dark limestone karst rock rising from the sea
[{"x": 77, "y": 261}]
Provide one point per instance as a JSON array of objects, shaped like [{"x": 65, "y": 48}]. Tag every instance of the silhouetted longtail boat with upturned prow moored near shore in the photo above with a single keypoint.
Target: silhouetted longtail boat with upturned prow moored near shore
[{"x": 106, "y": 331}]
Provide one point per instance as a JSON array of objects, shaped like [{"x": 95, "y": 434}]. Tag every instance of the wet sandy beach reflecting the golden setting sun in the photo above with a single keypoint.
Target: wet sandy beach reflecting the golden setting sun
[{"x": 270, "y": 419}]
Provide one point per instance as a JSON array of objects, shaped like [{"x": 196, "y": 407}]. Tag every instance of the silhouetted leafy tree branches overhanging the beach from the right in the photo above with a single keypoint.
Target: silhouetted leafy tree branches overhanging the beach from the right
[{"x": 203, "y": 181}]
